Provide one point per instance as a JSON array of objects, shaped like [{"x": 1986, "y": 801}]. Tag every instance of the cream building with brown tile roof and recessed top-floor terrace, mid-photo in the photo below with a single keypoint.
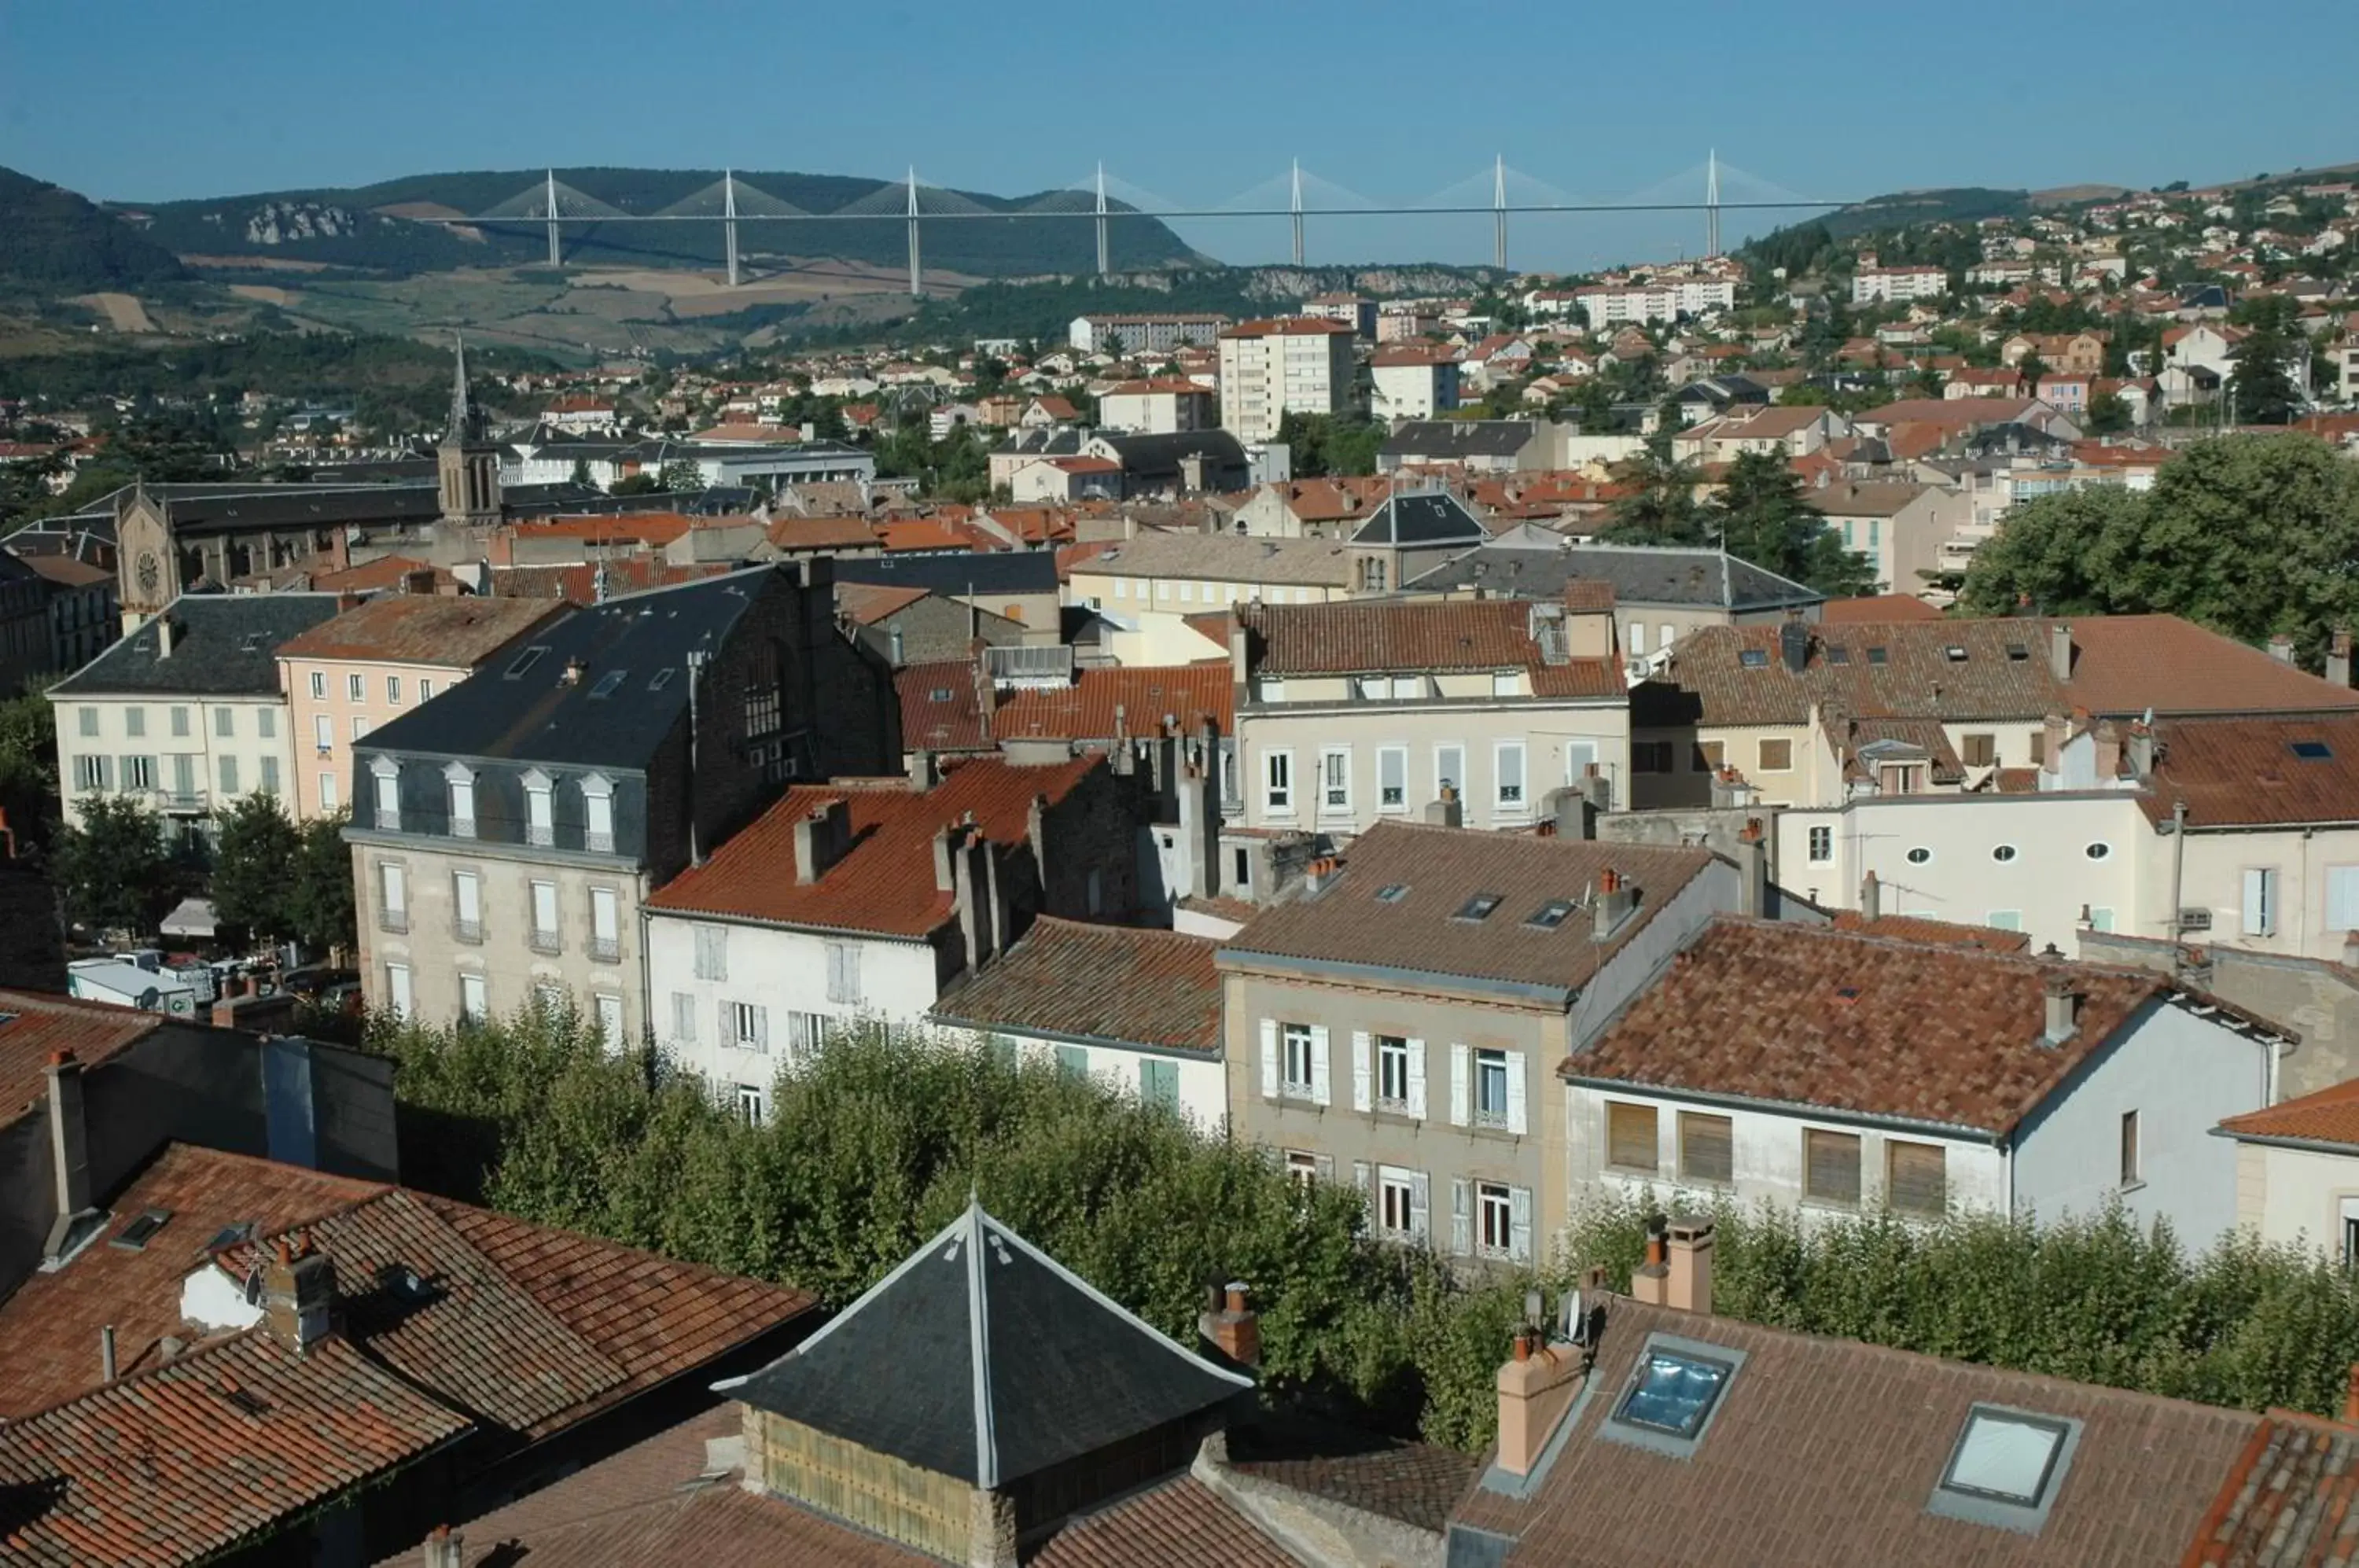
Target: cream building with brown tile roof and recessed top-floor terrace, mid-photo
[{"x": 1355, "y": 716}]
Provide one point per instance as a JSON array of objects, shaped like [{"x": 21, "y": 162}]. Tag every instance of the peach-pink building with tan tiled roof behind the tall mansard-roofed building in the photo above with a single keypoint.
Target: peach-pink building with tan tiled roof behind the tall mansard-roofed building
[{"x": 374, "y": 664}]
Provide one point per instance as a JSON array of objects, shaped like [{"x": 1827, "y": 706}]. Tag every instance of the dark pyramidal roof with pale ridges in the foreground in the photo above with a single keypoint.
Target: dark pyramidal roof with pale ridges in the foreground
[{"x": 985, "y": 1359}]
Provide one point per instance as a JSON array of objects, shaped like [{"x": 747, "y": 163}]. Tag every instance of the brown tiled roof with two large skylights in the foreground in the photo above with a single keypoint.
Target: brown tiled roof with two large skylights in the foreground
[{"x": 1827, "y": 1451}]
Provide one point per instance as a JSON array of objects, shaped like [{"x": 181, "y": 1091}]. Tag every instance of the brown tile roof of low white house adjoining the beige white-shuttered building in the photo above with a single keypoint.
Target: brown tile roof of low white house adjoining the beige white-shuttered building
[{"x": 1077, "y": 980}]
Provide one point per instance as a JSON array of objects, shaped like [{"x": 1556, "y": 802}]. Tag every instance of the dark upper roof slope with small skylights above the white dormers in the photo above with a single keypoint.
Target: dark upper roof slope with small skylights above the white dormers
[{"x": 530, "y": 713}]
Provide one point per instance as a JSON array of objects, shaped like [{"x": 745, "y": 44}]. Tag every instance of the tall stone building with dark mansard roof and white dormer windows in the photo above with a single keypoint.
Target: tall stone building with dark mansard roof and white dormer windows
[{"x": 511, "y": 831}]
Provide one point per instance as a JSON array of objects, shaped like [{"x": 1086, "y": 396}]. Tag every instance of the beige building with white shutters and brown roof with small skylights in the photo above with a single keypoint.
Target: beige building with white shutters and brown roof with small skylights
[{"x": 1398, "y": 1025}]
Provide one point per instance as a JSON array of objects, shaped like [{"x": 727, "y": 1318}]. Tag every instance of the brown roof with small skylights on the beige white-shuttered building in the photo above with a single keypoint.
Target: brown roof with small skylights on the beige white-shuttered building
[{"x": 1440, "y": 871}]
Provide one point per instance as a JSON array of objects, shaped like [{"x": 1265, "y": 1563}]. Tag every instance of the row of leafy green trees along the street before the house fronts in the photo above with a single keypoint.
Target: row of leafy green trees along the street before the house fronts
[{"x": 874, "y": 1142}]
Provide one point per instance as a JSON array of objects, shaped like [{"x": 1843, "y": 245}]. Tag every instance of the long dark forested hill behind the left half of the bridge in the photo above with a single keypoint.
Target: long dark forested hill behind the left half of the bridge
[{"x": 379, "y": 228}]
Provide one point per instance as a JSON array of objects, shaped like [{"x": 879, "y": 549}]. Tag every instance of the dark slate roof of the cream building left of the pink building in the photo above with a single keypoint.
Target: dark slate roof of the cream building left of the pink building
[{"x": 223, "y": 647}]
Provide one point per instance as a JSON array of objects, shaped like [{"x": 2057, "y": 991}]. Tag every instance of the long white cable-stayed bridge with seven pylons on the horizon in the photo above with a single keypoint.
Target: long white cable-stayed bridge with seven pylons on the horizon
[{"x": 1103, "y": 199}]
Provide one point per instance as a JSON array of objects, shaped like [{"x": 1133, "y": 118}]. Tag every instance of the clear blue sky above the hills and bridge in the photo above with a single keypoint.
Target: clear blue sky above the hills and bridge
[{"x": 147, "y": 100}]
